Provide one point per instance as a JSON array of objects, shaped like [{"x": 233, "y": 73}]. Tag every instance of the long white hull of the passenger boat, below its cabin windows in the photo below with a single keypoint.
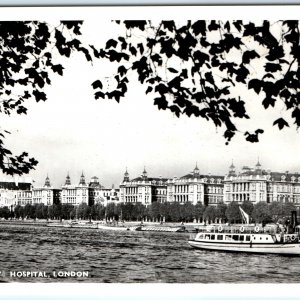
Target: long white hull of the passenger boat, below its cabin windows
[{"x": 276, "y": 248}]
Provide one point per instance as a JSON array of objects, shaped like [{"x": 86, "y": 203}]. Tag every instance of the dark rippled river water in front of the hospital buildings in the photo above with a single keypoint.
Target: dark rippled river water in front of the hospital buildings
[{"x": 125, "y": 256}]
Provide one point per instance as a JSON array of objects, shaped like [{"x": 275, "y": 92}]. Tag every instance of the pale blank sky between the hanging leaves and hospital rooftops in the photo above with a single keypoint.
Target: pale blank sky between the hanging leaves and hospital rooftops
[{"x": 73, "y": 133}]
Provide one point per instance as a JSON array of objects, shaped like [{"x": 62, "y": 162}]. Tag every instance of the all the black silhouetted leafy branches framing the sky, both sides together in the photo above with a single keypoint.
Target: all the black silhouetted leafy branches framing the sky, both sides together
[{"x": 193, "y": 68}]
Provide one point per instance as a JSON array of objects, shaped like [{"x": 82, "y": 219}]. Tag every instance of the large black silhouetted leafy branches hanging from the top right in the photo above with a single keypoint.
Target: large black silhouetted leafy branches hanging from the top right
[{"x": 197, "y": 68}]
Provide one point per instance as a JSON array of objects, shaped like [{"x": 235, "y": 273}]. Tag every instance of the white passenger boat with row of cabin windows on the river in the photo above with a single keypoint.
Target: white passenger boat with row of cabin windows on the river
[{"x": 268, "y": 239}]
